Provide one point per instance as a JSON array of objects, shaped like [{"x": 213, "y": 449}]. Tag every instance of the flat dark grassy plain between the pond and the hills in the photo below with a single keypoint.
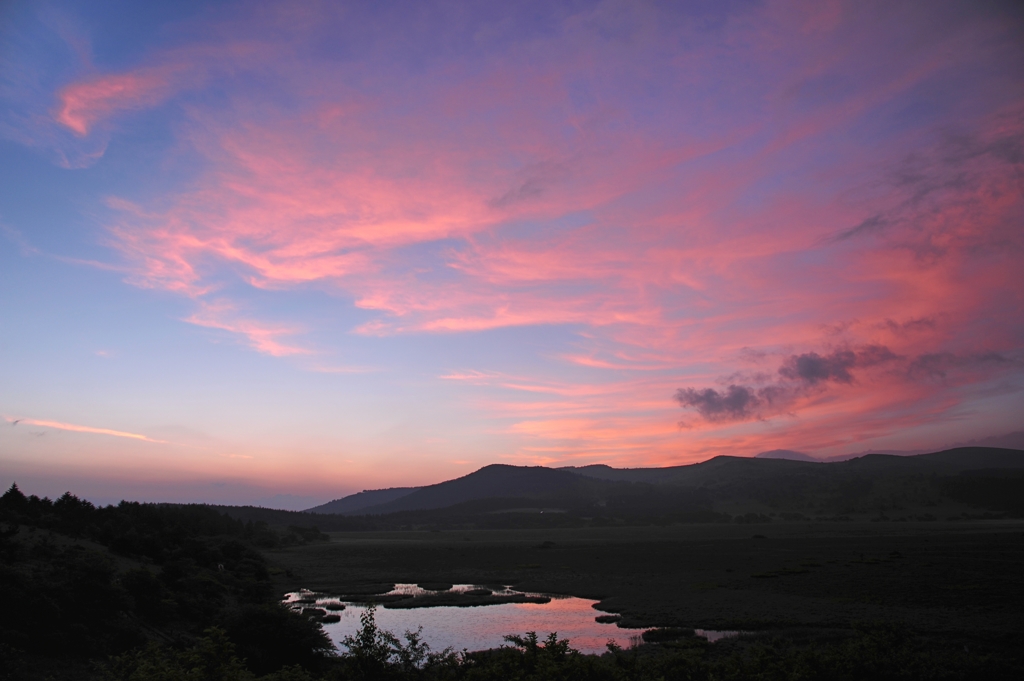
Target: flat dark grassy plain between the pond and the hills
[{"x": 945, "y": 579}]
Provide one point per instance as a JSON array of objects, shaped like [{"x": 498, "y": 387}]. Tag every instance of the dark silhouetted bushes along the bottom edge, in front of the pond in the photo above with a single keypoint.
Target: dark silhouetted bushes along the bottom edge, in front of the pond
[{"x": 872, "y": 653}]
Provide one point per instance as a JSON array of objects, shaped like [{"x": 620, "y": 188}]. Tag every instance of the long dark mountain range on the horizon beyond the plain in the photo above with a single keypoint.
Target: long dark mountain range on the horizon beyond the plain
[{"x": 780, "y": 484}]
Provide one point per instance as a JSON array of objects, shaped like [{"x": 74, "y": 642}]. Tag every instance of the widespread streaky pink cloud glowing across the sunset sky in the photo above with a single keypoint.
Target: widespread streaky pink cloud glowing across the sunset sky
[{"x": 544, "y": 187}]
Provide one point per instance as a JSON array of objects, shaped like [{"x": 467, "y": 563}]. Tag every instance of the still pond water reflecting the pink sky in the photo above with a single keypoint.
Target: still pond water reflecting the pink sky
[{"x": 483, "y": 627}]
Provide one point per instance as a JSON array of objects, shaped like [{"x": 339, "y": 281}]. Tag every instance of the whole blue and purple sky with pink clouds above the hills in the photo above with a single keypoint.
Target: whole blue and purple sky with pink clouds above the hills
[{"x": 278, "y": 252}]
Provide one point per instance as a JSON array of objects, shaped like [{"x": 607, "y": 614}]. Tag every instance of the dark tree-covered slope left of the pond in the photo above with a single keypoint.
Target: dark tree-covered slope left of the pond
[{"x": 80, "y": 583}]
